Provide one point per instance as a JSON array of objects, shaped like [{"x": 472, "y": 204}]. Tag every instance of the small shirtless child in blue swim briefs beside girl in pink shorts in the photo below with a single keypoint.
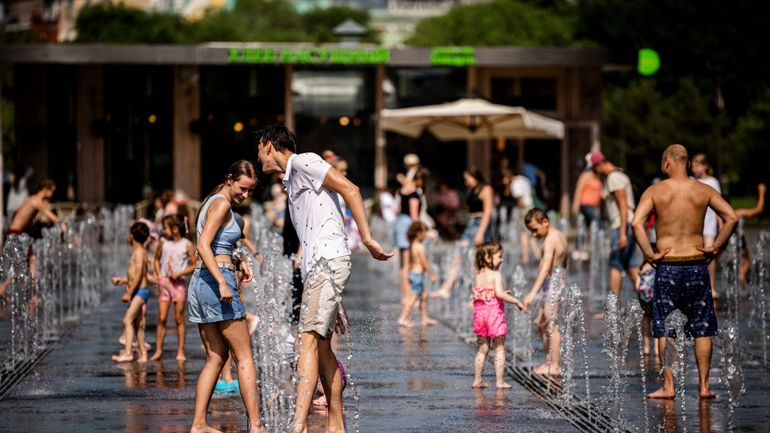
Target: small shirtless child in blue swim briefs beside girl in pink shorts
[{"x": 136, "y": 294}]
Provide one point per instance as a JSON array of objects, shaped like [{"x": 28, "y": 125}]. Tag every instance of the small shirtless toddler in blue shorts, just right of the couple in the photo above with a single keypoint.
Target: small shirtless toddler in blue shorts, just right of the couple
[{"x": 418, "y": 268}]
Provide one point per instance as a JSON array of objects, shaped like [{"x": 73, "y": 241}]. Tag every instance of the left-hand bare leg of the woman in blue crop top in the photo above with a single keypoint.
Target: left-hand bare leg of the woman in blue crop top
[{"x": 216, "y": 353}]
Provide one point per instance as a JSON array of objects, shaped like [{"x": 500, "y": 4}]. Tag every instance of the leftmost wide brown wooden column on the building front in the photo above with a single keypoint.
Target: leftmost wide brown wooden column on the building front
[{"x": 91, "y": 180}]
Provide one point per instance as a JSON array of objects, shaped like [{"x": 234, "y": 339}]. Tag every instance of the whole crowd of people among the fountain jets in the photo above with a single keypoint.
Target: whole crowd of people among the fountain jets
[{"x": 664, "y": 242}]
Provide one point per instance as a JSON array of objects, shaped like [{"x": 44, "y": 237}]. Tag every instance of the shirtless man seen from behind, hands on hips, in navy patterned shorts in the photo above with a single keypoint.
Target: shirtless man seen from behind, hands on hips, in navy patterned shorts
[{"x": 682, "y": 277}]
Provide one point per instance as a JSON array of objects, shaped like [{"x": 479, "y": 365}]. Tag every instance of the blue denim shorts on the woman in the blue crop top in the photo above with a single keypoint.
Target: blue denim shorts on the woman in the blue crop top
[{"x": 203, "y": 302}]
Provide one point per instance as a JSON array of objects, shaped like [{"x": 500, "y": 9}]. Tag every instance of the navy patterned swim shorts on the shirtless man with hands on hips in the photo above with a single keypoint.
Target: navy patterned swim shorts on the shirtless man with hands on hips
[{"x": 684, "y": 285}]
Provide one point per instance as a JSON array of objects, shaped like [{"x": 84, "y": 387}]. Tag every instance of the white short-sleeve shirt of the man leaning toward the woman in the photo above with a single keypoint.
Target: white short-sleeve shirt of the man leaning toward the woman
[{"x": 315, "y": 210}]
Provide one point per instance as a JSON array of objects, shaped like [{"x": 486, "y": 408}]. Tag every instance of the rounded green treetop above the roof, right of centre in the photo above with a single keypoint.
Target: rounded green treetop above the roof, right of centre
[{"x": 498, "y": 23}]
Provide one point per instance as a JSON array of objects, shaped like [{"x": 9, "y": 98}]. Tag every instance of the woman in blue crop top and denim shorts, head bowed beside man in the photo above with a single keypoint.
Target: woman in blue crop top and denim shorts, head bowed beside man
[{"x": 213, "y": 302}]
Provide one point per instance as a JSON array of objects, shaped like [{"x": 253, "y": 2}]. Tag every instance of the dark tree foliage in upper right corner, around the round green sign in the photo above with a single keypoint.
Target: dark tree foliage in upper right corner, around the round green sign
[{"x": 717, "y": 47}]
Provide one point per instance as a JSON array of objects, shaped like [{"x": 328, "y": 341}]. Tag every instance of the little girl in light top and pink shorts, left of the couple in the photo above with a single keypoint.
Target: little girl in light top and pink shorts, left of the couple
[{"x": 174, "y": 258}]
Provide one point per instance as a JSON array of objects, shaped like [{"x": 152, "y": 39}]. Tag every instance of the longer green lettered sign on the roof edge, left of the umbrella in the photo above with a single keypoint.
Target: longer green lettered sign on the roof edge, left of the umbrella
[{"x": 311, "y": 56}]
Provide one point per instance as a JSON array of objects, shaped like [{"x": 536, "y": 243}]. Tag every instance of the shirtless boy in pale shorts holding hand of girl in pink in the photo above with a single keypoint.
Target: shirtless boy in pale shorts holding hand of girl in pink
[{"x": 550, "y": 279}]
